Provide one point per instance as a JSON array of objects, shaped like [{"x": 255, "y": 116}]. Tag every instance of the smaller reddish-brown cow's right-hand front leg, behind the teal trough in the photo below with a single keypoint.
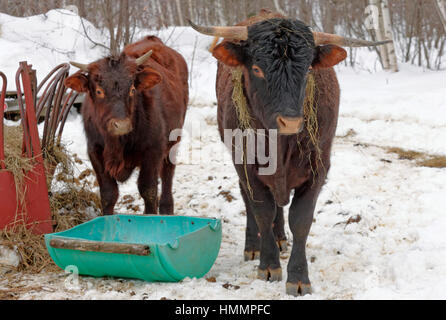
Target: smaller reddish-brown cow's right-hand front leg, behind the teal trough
[{"x": 148, "y": 186}]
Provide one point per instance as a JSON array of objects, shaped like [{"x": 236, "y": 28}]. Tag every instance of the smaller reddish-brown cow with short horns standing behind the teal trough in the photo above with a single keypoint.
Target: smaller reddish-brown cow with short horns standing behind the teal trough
[{"x": 156, "y": 107}]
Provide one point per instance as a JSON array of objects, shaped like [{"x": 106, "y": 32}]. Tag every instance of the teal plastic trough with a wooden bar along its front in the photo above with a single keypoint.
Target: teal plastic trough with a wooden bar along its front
[{"x": 150, "y": 248}]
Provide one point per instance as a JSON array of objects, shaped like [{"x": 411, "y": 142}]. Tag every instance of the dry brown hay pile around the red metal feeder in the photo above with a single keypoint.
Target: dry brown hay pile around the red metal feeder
[{"x": 72, "y": 200}]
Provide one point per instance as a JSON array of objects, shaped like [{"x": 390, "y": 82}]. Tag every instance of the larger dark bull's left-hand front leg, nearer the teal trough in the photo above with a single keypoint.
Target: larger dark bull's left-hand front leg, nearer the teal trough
[{"x": 264, "y": 212}]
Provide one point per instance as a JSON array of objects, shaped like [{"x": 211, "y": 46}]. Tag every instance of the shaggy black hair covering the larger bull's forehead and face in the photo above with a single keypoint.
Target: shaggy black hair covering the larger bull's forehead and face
[{"x": 284, "y": 49}]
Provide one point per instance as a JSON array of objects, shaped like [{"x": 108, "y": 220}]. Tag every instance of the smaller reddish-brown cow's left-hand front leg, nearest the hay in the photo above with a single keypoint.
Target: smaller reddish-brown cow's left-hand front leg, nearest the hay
[{"x": 108, "y": 188}]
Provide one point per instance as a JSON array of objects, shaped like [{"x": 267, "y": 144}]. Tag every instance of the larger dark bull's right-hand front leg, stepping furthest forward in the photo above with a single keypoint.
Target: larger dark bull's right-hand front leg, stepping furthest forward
[{"x": 300, "y": 220}]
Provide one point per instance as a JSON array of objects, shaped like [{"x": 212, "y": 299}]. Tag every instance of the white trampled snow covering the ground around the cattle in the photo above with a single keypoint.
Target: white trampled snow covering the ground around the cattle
[{"x": 396, "y": 249}]
